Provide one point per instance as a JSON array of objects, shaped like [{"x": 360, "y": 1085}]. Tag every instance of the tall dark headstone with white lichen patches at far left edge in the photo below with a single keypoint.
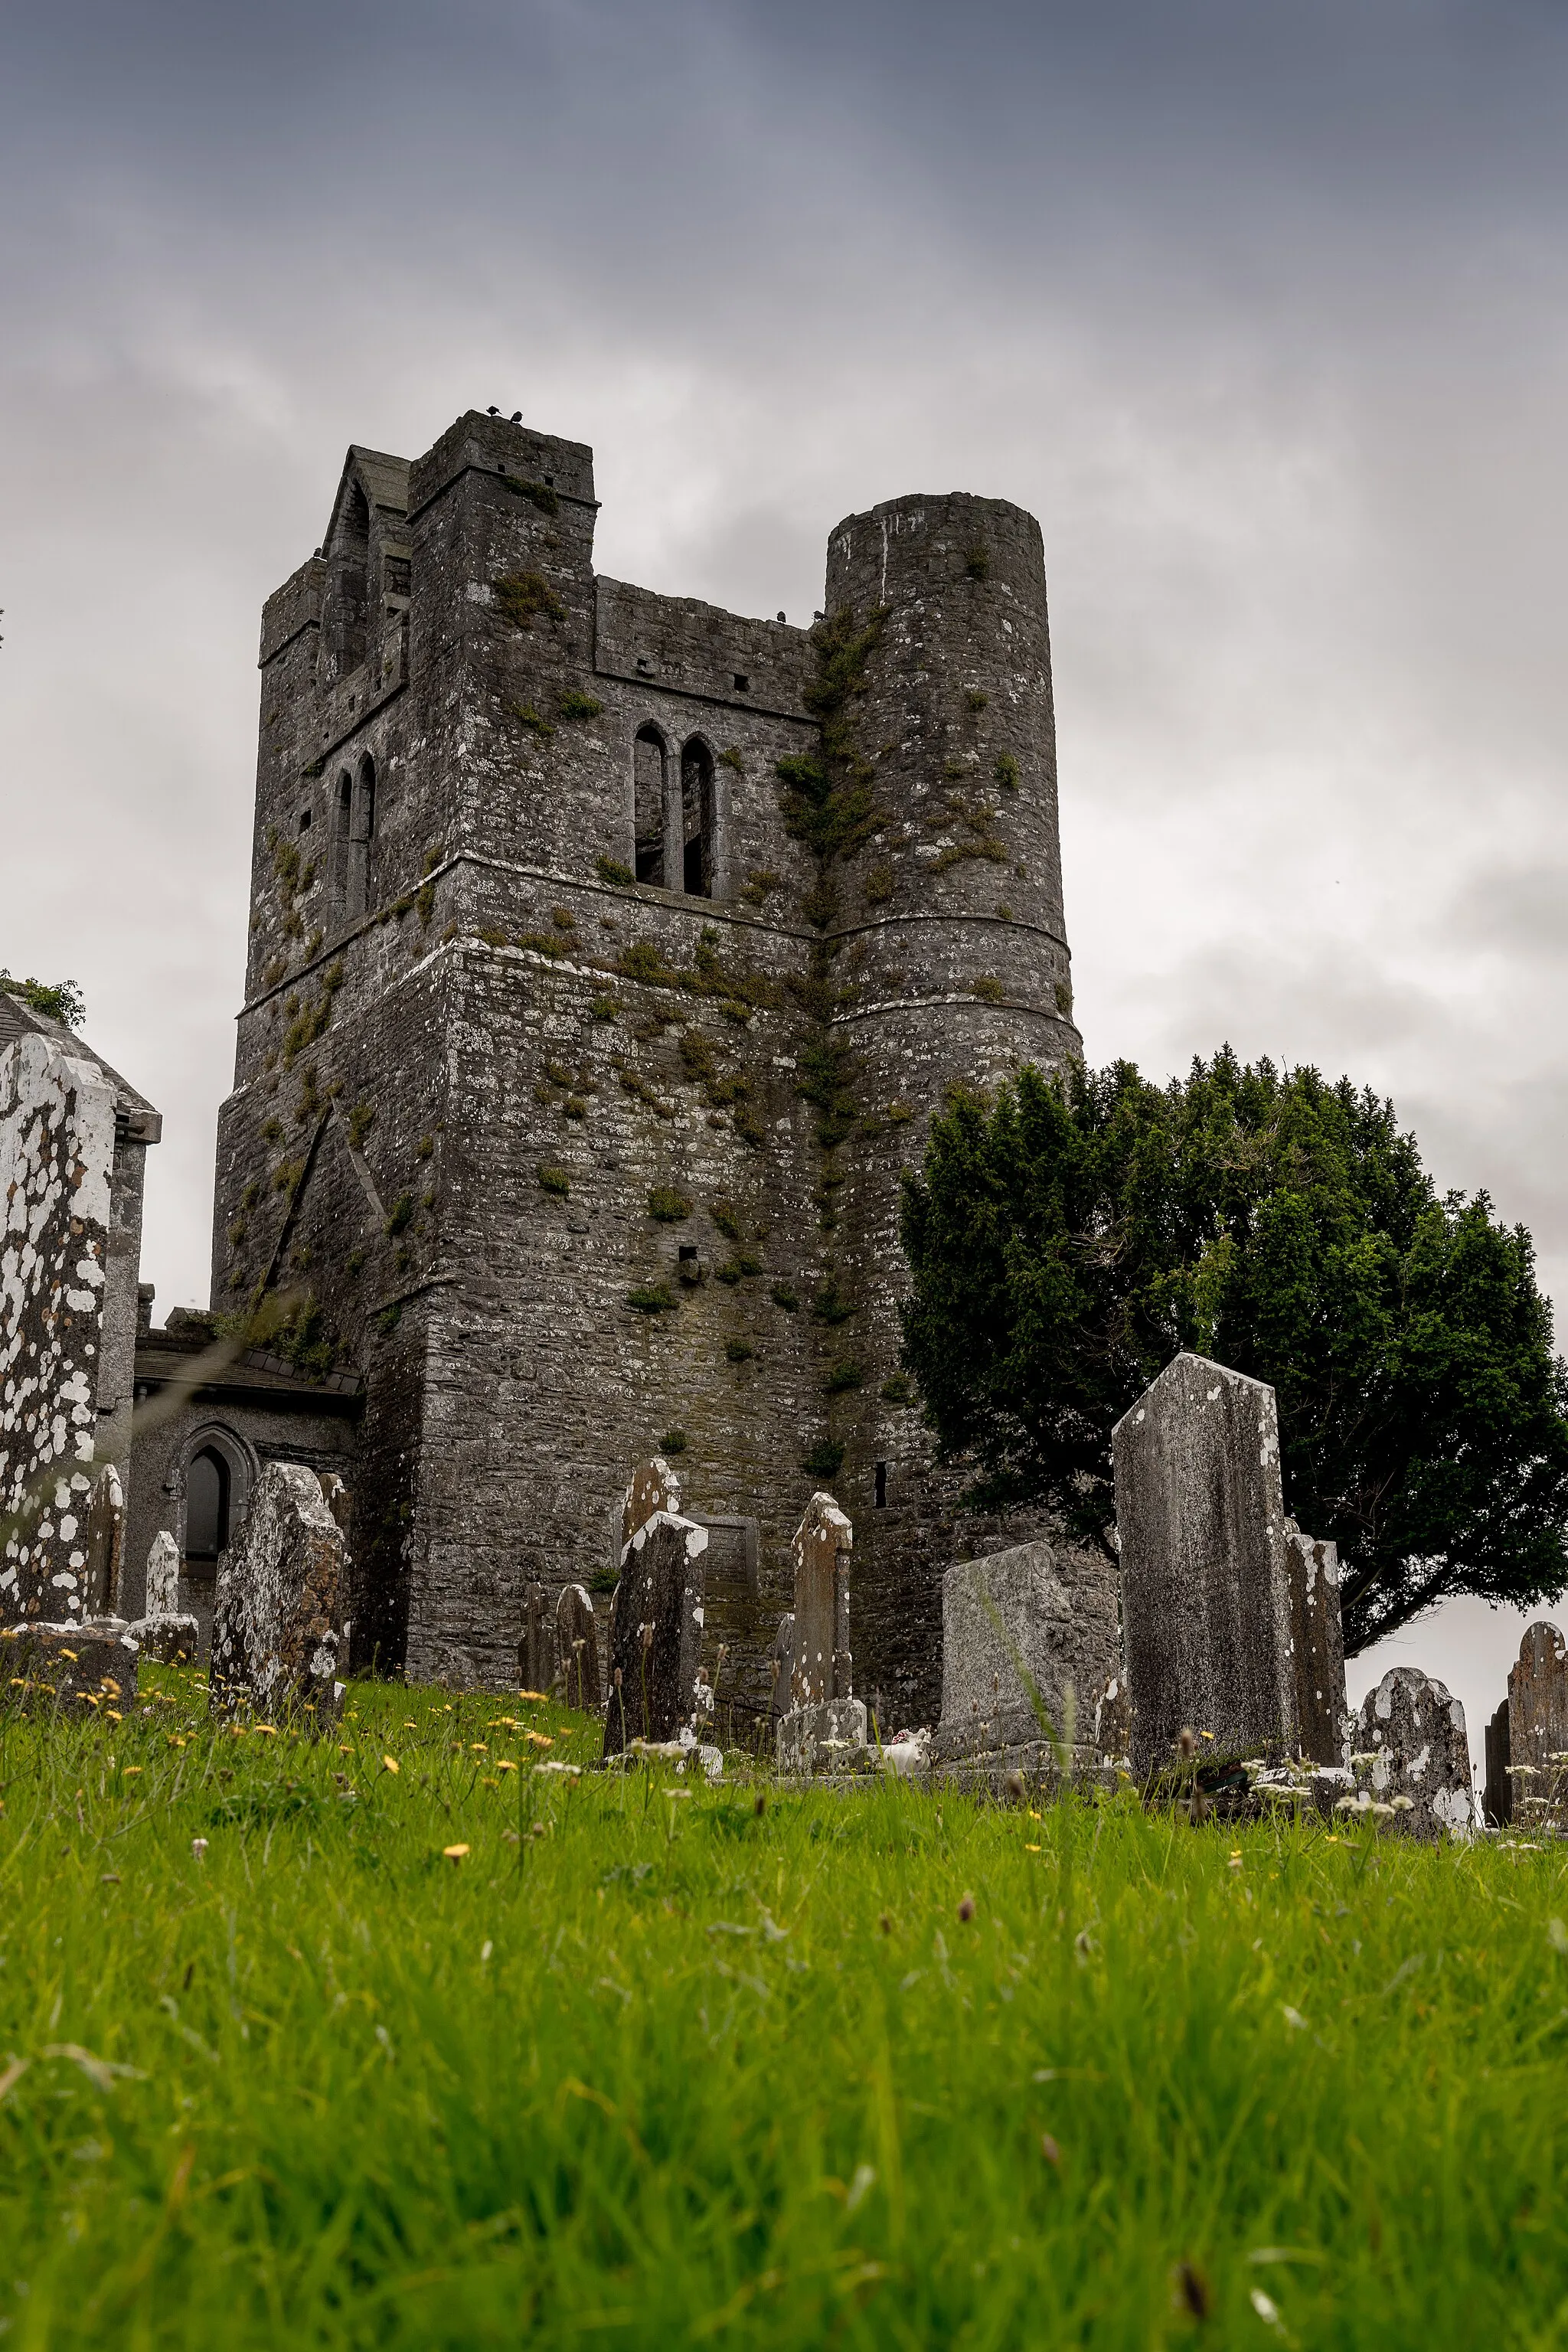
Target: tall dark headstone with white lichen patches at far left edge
[{"x": 58, "y": 1149}]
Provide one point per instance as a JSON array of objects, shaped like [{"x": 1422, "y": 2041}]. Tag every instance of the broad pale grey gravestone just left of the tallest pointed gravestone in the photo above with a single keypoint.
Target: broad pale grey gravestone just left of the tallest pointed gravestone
[{"x": 1019, "y": 1645}]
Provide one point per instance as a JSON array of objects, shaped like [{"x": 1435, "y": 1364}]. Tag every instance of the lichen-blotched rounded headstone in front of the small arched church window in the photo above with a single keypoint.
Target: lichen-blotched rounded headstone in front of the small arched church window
[{"x": 279, "y": 1605}]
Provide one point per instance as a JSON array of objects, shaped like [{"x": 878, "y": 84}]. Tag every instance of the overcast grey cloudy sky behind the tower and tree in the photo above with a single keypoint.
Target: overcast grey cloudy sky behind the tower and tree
[{"x": 1259, "y": 309}]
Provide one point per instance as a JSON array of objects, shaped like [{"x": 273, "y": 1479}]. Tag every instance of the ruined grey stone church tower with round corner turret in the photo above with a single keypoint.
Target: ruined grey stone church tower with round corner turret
[{"x": 608, "y": 961}]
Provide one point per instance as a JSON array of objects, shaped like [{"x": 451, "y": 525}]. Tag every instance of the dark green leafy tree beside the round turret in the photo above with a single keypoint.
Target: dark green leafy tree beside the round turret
[{"x": 1068, "y": 1241}]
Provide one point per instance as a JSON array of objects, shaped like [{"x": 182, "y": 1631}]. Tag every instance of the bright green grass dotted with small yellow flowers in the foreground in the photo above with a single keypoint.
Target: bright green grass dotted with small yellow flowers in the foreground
[{"x": 396, "y": 2040}]
